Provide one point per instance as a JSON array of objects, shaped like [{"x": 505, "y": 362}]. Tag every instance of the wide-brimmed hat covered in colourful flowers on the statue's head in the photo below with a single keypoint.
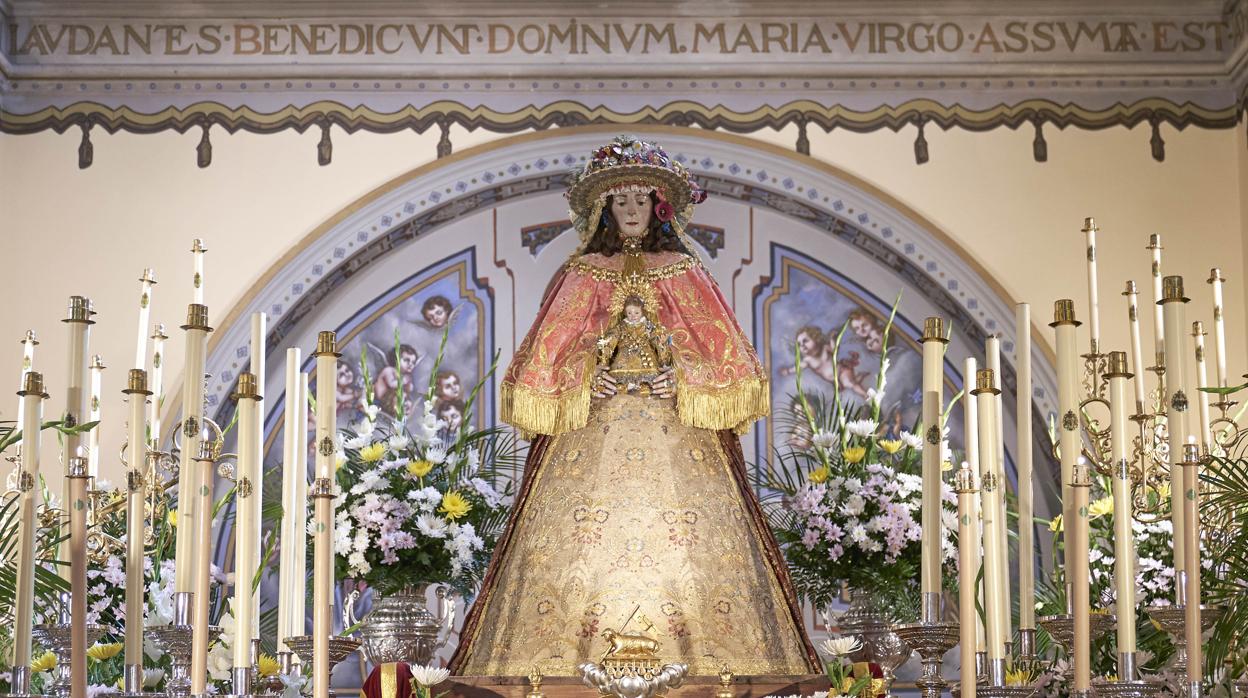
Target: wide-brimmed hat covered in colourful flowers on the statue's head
[{"x": 625, "y": 164}]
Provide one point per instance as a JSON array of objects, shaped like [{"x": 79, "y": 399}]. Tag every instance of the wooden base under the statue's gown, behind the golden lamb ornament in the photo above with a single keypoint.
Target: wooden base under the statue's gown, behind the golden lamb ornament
[{"x": 571, "y": 687}]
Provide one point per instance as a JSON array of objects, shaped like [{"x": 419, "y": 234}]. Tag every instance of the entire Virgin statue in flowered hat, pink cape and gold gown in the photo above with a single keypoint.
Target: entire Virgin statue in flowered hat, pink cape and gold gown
[{"x": 635, "y": 508}]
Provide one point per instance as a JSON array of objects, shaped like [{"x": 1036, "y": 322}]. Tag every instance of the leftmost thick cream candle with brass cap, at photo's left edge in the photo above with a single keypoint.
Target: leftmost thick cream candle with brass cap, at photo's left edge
[{"x": 33, "y": 396}]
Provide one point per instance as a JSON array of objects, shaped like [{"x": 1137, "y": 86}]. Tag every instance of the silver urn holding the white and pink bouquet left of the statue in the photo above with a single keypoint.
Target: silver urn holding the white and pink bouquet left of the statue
[{"x": 401, "y": 629}]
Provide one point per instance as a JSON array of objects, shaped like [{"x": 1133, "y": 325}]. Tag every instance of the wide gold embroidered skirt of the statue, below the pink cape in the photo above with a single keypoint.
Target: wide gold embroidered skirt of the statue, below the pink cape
[{"x": 636, "y": 510}]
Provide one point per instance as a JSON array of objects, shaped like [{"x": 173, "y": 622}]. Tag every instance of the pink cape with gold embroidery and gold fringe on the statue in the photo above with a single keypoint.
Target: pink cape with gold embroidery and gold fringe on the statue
[{"x": 721, "y": 384}]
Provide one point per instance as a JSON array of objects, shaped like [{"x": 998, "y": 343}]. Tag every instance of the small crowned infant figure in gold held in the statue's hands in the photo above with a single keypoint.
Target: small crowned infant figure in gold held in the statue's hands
[{"x": 636, "y": 349}]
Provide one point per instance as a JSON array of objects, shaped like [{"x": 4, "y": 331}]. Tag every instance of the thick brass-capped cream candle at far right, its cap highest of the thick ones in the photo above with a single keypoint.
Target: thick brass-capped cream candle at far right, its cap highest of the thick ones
[{"x": 1175, "y": 322}]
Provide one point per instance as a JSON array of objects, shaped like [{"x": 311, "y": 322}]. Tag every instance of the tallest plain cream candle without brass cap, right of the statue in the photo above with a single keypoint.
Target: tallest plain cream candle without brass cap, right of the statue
[{"x": 1026, "y": 493}]
